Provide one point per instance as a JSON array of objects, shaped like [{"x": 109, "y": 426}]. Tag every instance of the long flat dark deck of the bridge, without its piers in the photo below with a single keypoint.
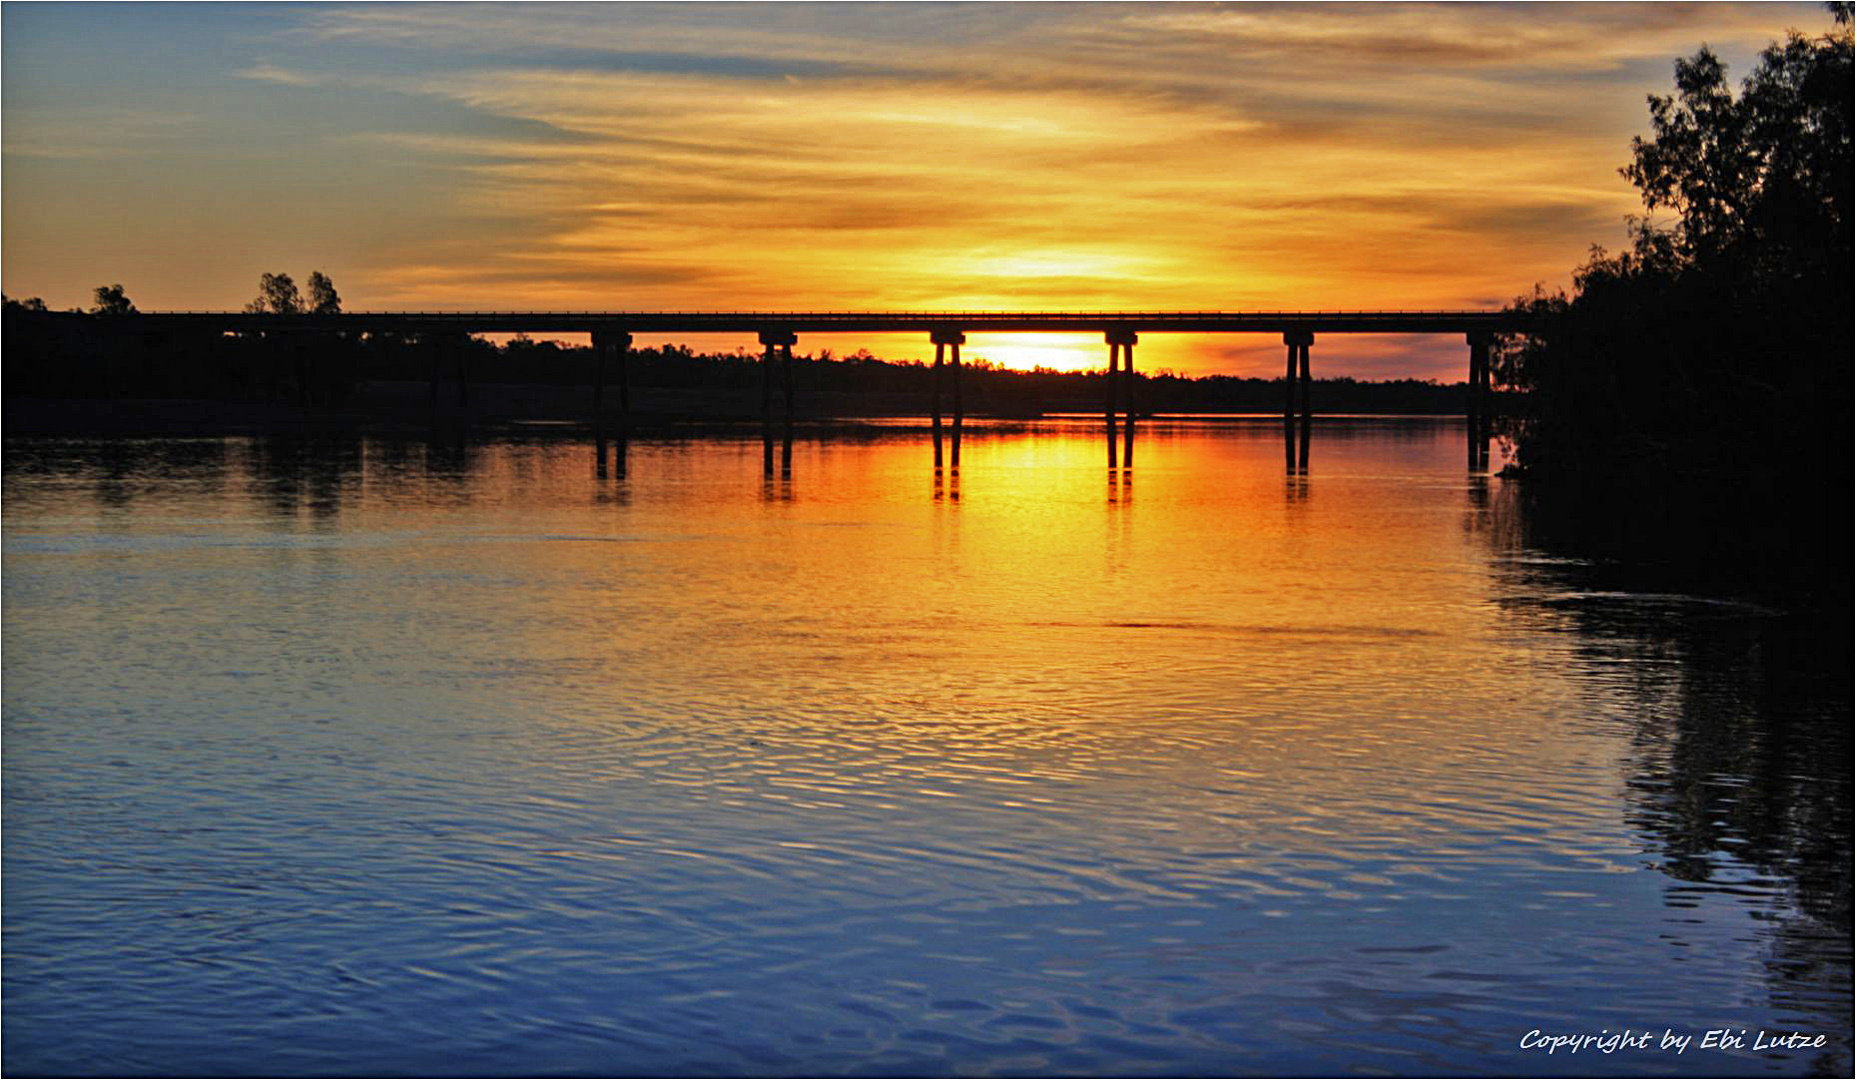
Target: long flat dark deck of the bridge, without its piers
[{"x": 846, "y": 322}]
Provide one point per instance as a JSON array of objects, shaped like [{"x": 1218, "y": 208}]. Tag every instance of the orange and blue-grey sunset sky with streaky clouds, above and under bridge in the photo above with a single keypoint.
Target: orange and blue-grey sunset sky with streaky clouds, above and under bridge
[{"x": 844, "y": 157}]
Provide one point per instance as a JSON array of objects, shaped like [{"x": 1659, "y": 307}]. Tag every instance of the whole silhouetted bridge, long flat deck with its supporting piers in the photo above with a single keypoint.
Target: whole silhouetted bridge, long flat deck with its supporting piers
[{"x": 779, "y": 331}]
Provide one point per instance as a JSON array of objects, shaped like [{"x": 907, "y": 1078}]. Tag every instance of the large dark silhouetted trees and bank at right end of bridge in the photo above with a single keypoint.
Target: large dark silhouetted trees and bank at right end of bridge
[{"x": 1693, "y": 394}]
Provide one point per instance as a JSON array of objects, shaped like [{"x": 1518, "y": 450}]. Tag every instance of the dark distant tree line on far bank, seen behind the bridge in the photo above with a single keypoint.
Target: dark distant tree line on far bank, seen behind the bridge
[{"x": 99, "y": 357}]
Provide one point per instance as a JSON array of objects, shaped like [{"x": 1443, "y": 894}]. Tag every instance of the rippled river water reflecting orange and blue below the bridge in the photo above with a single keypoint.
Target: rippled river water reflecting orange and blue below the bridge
[{"x": 369, "y": 756}]
